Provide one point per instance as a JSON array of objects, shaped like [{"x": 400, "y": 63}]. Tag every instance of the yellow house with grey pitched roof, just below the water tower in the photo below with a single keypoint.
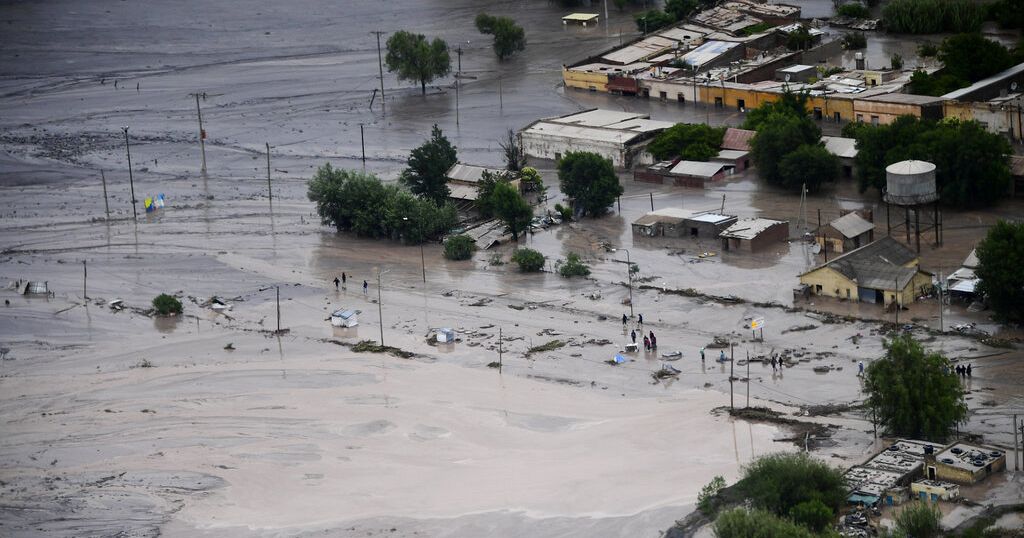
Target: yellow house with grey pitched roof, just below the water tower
[{"x": 880, "y": 272}]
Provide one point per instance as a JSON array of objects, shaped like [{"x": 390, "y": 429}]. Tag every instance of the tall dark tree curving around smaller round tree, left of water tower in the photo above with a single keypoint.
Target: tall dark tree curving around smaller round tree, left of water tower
[{"x": 779, "y": 137}]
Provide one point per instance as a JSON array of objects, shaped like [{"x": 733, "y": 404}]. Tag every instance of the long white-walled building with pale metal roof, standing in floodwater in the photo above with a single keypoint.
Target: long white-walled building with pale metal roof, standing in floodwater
[{"x": 621, "y": 137}]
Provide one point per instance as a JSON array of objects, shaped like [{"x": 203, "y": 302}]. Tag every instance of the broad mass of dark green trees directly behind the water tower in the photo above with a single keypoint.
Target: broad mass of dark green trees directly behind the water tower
[{"x": 971, "y": 163}]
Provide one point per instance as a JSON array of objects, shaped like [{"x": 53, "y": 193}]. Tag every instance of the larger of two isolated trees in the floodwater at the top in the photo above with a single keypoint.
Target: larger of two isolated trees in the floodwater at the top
[{"x": 416, "y": 60}]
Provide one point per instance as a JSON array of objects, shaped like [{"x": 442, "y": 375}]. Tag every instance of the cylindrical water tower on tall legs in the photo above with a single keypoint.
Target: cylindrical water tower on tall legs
[{"x": 911, "y": 185}]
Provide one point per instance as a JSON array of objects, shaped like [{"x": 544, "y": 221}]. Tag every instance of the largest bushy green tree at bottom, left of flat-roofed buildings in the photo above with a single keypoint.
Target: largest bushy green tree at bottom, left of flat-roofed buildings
[{"x": 779, "y": 483}]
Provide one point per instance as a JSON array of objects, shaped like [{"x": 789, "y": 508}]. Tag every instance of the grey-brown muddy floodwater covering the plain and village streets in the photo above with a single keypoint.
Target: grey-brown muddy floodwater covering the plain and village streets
[{"x": 215, "y": 424}]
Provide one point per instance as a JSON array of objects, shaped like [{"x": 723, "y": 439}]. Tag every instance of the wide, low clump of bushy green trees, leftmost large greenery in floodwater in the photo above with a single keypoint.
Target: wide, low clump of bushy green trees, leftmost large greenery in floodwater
[{"x": 360, "y": 202}]
